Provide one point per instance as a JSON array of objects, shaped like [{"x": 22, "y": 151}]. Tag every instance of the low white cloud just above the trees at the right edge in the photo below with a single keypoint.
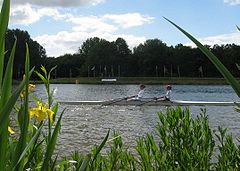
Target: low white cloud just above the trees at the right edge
[{"x": 220, "y": 40}]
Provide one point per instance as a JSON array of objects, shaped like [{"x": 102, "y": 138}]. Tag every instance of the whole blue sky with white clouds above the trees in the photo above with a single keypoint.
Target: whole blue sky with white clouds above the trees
[{"x": 61, "y": 26}]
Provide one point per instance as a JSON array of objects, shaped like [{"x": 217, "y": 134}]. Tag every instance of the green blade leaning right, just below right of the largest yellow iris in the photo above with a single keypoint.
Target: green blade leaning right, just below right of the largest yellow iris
[{"x": 51, "y": 144}]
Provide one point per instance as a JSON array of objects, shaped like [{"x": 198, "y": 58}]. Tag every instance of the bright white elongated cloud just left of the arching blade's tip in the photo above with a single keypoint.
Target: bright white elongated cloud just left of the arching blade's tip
[{"x": 129, "y": 20}]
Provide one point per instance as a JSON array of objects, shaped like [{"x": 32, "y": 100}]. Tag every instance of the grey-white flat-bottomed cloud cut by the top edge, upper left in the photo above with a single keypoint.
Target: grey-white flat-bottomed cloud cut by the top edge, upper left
[{"x": 59, "y": 3}]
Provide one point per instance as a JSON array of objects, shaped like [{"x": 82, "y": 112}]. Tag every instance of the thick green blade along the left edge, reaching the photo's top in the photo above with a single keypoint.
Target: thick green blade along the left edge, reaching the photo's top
[{"x": 4, "y": 18}]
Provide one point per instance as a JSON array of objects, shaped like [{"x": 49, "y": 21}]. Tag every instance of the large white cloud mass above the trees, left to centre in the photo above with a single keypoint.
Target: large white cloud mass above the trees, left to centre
[{"x": 106, "y": 26}]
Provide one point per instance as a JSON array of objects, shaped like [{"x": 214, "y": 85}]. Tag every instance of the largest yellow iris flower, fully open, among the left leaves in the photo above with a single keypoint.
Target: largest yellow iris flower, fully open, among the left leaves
[{"x": 41, "y": 112}]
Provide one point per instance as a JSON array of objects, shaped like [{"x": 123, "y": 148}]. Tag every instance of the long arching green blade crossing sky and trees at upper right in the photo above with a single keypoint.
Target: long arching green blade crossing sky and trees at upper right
[{"x": 218, "y": 64}]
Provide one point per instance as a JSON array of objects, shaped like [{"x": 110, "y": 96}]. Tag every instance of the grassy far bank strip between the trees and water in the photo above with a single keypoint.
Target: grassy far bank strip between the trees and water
[{"x": 140, "y": 80}]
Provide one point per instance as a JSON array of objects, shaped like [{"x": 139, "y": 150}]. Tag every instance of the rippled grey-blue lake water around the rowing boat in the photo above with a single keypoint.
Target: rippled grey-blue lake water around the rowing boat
[{"x": 85, "y": 125}]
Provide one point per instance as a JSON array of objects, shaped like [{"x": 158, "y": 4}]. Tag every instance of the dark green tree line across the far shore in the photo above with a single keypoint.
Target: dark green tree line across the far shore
[{"x": 101, "y": 58}]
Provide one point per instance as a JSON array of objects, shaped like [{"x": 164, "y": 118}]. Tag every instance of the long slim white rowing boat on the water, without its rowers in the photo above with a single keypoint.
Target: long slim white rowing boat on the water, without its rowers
[{"x": 150, "y": 102}]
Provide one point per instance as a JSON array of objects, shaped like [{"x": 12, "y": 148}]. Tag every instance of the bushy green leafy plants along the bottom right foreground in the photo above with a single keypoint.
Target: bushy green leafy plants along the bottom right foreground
[{"x": 180, "y": 143}]
